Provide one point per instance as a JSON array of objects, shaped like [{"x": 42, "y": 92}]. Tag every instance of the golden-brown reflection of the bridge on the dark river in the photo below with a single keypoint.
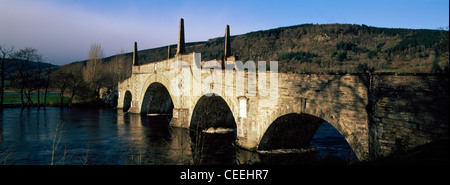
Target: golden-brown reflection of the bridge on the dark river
[{"x": 155, "y": 142}]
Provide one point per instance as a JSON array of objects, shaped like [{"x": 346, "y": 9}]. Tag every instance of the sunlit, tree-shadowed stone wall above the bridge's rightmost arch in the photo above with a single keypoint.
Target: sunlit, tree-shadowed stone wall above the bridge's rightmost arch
[{"x": 340, "y": 100}]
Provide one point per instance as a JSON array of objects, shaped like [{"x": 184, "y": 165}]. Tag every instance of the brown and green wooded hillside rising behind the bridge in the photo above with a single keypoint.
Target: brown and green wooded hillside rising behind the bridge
[{"x": 328, "y": 48}]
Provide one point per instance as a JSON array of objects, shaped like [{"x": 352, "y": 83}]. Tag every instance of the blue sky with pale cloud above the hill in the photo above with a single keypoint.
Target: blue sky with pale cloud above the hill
[{"x": 63, "y": 30}]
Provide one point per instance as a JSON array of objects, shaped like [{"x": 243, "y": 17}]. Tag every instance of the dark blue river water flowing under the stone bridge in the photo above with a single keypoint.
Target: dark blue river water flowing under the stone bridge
[{"x": 77, "y": 136}]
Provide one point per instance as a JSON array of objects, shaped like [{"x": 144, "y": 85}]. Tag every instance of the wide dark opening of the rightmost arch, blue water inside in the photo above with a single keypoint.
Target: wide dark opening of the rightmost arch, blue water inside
[{"x": 301, "y": 131}]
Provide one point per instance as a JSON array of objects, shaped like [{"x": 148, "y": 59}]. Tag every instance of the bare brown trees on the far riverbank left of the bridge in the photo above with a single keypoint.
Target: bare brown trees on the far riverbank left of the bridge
[{"x": 24, "y": 71}]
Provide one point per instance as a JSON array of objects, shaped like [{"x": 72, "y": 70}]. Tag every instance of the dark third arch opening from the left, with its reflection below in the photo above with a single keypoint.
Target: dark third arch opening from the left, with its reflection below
[{"x": 212, "y": 131}]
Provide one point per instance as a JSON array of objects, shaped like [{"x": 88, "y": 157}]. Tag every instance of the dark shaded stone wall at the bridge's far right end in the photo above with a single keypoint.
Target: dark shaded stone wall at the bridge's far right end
[{"x": 408, "y": 110}]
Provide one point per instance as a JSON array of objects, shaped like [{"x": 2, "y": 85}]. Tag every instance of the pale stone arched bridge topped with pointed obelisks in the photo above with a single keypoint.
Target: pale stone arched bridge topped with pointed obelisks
[{"x": 377, "y": 114}]
